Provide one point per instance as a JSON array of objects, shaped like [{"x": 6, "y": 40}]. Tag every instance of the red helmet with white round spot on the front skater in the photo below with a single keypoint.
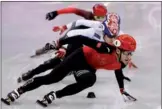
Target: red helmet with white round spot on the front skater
[{"x": 125, "y": 42}]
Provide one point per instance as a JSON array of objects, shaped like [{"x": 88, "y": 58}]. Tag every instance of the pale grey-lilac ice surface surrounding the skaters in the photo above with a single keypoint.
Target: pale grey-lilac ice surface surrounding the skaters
[{"x": 25, "y": 29}]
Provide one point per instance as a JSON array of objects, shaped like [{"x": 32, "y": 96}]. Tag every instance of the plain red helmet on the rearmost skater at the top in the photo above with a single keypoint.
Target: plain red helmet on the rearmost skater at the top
[{"x": 99, "y": 10}]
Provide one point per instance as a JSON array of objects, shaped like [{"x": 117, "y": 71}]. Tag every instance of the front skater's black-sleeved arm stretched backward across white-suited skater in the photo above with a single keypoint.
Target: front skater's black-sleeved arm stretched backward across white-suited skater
[{"x": 97, "y": 45}]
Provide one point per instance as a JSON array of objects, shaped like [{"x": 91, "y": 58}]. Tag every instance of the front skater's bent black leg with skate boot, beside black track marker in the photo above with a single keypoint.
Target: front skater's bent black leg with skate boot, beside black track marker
[{"x": 84, "y": 78}]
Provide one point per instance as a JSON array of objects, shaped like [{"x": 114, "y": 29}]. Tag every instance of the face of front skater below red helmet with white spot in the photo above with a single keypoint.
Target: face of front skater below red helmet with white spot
[{"x": 126, "y": 56}]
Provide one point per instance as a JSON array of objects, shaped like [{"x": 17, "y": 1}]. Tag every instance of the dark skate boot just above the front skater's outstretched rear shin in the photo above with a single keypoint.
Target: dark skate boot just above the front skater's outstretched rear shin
[{"x": 25, "y": 76}]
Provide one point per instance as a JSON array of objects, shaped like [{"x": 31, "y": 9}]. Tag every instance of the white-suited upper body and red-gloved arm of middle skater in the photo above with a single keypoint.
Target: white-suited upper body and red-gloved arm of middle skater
[{"x": 80, "y": 28}]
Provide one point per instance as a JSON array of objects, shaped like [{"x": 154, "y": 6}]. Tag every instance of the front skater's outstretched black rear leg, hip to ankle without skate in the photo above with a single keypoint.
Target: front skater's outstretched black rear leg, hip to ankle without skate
[{"x": 58, "y": 73}]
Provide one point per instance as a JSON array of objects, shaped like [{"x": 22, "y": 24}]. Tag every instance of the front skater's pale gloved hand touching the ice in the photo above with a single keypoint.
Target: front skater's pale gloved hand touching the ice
[{"x": 127, "y": 96}]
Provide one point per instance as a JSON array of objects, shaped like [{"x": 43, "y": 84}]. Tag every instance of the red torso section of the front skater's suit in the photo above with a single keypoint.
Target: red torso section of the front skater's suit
[{"x": 101, "y": 60}]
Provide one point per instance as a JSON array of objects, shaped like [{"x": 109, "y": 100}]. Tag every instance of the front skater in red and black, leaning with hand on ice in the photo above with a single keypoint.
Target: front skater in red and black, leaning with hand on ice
[{"x": 86, "y": 60}]
